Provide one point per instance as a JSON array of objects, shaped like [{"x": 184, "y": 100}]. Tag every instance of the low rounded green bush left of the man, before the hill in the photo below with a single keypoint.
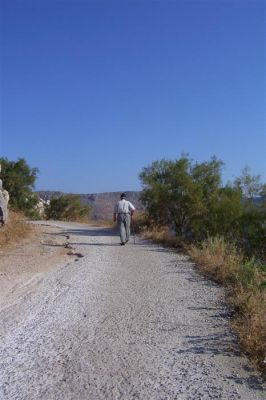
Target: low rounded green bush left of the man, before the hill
[{"x": 67, "y": 208}]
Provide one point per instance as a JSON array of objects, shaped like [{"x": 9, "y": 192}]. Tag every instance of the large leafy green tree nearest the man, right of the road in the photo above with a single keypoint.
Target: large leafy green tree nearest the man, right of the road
[{"x": 181, "y": 193}]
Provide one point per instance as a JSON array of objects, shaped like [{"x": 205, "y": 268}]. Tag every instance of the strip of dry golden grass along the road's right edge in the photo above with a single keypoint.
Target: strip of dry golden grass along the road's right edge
[{"x": 246, "y": 281}]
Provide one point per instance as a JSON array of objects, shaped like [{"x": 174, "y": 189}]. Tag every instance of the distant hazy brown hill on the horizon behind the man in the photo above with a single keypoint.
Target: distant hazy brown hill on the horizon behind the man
[{"x": 102, "y": 204}]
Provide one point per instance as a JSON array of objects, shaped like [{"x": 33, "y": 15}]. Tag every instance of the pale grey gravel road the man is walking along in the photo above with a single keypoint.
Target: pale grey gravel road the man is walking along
[{"x": 131, "y": 322}]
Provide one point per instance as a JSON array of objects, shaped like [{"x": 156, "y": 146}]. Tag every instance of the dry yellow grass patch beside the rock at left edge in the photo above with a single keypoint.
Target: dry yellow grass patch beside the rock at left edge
[{"x": 15, "y": 230}]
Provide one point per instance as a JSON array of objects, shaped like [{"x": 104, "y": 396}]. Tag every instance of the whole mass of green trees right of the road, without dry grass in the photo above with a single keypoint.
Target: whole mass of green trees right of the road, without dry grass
[{"x": 190, "y": 198}]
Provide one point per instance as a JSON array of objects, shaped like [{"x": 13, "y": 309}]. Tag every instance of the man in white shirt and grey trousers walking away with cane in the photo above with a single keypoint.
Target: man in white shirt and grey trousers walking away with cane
[{"x": 123, "y": 212}]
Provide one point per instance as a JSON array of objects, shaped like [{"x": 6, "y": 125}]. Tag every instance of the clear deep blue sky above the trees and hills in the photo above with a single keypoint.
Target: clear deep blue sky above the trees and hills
[{"x": 93, "y": 91}]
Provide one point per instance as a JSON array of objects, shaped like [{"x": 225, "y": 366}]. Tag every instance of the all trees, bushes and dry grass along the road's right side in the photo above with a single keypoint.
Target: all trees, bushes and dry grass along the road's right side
[{"x": 222, "y": 228}]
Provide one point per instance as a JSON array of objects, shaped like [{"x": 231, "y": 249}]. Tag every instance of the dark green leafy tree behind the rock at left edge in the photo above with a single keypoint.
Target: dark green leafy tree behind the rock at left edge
[{"x": 19, "y": 180}]
